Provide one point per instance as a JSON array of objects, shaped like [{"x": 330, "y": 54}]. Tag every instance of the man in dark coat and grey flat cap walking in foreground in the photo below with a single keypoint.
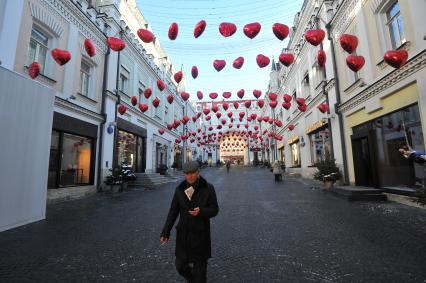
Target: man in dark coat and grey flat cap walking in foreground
[{"x": 195, "y": 202}]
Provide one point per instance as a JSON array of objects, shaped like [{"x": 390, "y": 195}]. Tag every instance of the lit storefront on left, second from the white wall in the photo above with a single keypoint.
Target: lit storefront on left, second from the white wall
[{"x": 131, "y": 146}]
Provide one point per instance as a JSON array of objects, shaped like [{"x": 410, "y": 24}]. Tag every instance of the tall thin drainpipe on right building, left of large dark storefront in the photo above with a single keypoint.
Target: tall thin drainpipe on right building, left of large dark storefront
[{"x": 338, "y": 101}]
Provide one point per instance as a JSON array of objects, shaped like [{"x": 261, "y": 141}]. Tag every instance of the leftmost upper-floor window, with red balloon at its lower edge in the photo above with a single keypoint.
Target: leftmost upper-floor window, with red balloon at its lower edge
[{"x": 38, "y": 48}]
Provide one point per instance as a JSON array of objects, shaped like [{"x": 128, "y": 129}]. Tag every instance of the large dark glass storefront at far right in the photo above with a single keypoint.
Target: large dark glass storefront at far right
[{"x": 375, "y": 149}]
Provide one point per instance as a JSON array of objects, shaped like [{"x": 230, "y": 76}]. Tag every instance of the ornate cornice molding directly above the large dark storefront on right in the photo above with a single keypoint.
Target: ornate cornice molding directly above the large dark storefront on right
[{"x": 415, "y": 64}]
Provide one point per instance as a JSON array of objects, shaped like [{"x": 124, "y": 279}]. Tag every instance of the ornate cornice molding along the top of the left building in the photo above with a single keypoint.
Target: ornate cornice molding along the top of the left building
[{"x": 70, "y": 14}]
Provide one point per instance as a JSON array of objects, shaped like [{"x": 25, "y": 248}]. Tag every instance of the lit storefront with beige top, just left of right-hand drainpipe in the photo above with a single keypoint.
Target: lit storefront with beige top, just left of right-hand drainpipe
[{"x": 319, "y": 141}]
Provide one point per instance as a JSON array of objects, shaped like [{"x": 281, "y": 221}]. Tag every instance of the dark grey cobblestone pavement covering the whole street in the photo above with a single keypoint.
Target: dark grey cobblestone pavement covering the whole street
[{"x": 265, "y": 232}]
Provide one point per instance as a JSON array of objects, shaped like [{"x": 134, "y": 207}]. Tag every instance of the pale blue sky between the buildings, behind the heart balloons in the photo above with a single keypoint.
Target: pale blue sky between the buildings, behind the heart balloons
[{"x": 187, "y": 51}]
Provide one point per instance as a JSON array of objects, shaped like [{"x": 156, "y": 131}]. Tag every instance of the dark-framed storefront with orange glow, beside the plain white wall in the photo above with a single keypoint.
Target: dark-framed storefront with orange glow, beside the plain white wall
[{"x": 72, "y": 152}]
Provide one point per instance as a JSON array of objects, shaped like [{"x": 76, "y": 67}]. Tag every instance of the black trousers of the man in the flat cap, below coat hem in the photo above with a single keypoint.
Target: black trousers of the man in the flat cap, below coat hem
[{"x": 195, "y": 274}]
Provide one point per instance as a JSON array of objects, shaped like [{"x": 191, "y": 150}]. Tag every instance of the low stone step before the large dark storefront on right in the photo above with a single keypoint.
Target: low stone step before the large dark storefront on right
[{"x": 353, "y": 193}]
